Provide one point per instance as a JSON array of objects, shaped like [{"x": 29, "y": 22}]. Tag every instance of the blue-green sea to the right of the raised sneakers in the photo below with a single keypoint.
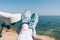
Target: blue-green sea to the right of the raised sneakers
[{"x": 49, "y": 25}]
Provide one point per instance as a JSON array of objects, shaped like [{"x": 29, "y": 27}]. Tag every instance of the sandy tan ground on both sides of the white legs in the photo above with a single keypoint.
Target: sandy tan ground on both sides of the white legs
[{"x": 12, "y": 35}]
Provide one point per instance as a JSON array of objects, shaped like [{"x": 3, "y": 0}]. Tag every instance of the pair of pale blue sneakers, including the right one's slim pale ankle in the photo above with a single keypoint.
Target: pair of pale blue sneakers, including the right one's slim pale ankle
[{"x": 32, "y": 19}]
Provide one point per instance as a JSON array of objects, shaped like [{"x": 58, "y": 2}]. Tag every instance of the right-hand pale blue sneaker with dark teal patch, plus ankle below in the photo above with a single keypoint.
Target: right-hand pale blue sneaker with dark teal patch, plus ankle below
[{"x": 33, "y": 23}]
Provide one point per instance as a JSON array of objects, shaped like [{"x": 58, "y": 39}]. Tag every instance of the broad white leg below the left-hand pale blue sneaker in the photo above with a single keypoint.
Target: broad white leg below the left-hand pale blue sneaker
[{"x": 26, "y": 33}]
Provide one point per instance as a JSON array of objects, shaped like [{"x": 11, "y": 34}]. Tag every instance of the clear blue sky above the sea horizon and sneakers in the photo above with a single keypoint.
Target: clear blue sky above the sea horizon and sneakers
[{"x": 42, "y": 7}]
